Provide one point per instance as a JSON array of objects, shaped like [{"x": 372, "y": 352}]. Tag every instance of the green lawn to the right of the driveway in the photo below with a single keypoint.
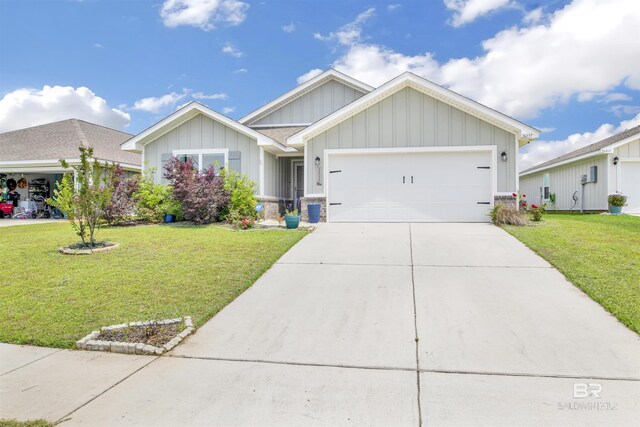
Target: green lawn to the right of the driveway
[{"x": 598, "y": 253}]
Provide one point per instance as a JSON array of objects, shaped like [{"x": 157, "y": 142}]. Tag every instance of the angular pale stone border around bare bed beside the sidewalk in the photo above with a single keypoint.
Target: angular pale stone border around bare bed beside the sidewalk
[{"x": 91, "y": 343}]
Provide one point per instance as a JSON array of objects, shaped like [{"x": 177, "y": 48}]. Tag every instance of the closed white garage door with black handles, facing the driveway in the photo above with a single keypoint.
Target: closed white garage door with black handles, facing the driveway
[{"x": 405, "y": 187}]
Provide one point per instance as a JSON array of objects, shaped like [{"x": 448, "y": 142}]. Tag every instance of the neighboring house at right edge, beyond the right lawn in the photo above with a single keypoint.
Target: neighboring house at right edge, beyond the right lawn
[{"x": 582, "y": 179}]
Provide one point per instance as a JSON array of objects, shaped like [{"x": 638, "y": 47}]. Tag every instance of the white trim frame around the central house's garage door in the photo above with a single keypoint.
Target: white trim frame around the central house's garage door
[{"x": 328, "y": 153}]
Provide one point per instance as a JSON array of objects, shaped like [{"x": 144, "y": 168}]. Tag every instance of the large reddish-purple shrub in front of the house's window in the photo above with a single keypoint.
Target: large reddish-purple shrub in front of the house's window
[{"x": 201, "y": 193}]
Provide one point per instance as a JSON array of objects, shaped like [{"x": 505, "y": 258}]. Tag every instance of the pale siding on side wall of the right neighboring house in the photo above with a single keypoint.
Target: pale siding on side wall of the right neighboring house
[{"x": 565, "y": 180}]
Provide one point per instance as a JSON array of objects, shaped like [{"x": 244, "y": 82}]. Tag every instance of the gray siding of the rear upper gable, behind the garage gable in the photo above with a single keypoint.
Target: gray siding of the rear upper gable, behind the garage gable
[{"x": 312, "y": 106}]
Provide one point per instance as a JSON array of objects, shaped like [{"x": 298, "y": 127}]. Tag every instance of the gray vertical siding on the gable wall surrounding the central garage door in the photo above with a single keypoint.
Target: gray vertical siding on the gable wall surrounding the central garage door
[{"x": 409, "y": 118}]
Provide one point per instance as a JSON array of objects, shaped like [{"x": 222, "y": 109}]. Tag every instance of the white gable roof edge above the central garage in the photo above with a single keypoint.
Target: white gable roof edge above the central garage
[{"x": 525, "y": 132}]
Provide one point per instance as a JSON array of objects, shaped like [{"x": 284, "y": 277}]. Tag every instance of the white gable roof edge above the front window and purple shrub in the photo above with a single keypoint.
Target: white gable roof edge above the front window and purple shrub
[{"x": 188, "y": 112}]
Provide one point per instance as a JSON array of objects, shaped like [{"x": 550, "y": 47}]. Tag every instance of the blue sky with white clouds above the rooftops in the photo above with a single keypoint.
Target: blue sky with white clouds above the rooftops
[{"x": 558, "y": 65}]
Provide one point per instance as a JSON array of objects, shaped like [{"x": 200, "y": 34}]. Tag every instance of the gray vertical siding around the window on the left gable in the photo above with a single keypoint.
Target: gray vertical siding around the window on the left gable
[{"x": 202, "y": 132}]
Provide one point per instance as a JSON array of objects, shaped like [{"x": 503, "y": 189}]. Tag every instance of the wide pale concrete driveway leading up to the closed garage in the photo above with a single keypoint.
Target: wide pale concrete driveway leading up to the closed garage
[{"x": 393, "y": 324}]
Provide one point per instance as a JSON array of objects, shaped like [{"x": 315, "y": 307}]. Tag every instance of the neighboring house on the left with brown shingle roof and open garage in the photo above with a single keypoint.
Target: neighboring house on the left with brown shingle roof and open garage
[{"x": 34, "y": 153}]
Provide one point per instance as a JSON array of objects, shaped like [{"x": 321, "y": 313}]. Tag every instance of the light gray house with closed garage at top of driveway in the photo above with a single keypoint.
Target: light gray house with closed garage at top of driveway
[{"x": 409, "y": 150}]
